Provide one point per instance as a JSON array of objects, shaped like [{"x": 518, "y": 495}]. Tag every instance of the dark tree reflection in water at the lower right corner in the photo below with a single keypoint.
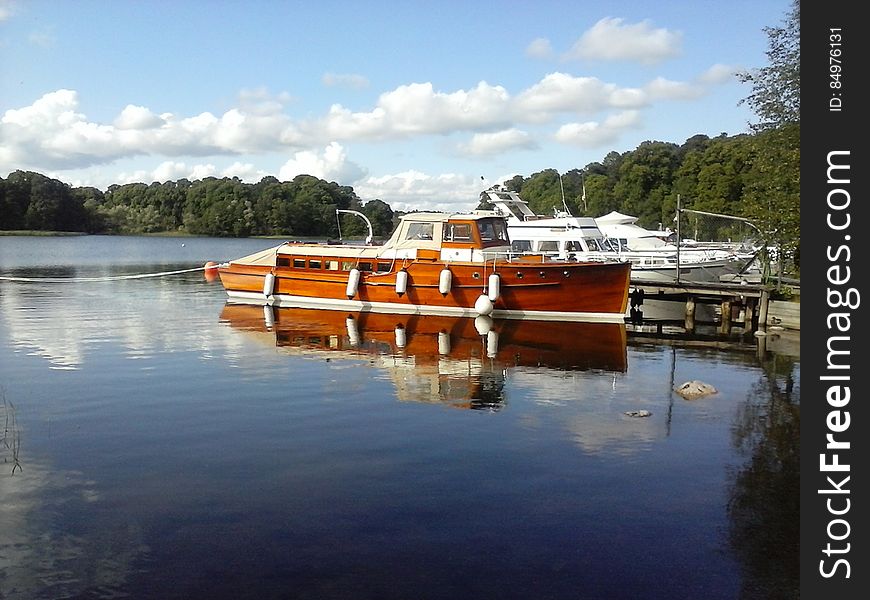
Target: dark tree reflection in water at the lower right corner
[{"x": 764, "y": 505}]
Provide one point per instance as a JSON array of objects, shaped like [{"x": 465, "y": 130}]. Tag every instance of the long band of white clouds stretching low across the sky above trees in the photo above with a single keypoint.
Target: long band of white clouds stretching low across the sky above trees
[{"x": 54, "y": 133}]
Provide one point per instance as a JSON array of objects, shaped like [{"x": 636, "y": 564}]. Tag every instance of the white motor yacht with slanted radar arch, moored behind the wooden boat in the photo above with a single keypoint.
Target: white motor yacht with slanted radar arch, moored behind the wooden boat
[{"x": 581, "y": 238}]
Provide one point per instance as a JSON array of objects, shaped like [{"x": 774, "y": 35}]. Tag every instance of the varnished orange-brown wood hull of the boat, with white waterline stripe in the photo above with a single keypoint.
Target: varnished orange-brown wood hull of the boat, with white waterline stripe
[{"x": 536, "y": 290}]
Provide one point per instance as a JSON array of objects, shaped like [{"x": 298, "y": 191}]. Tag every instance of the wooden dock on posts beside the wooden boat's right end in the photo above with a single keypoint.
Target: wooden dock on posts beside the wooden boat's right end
[{"x": 742, "y": 304}]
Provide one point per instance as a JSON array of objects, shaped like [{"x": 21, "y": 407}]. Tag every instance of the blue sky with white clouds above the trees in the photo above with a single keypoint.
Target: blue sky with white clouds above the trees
[{"x": 419, "y": 104}]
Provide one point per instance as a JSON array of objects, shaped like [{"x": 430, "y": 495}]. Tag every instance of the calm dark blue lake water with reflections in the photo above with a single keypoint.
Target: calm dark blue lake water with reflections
[{"x": 159, "y": 444}]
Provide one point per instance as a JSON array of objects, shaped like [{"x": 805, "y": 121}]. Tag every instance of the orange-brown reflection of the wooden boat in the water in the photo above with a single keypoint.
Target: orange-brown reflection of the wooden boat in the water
[{"x": 454, "y": 360}]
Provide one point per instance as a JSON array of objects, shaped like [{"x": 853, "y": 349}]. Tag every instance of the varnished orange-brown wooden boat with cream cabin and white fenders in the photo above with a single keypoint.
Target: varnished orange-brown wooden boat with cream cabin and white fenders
[{"x": 434, "y": 263}]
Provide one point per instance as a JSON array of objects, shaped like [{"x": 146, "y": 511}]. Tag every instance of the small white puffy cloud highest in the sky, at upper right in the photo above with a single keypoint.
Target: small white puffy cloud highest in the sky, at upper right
[{"x": 611, "y": 39}]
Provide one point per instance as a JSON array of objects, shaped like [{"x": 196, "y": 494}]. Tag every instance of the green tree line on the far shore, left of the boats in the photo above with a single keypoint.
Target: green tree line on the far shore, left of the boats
[{"x": 219, "y": 207}]
